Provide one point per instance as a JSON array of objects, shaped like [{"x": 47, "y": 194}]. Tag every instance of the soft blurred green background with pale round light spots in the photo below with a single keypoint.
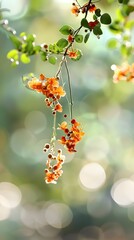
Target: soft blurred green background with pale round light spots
[{"x": 94, "y": 199}]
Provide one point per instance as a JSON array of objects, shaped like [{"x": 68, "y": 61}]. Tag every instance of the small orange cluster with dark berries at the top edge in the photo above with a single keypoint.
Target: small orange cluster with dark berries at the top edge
[{"x": 76, "y": 9}]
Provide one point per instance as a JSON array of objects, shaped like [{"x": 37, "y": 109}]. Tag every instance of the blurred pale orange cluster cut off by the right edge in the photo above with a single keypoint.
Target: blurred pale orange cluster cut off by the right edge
[{"x": 123, "y": 73}]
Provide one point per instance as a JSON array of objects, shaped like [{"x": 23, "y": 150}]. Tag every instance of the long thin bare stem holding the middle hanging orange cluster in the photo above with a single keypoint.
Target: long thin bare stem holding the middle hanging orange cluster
[{"x": 70, "y": 90}]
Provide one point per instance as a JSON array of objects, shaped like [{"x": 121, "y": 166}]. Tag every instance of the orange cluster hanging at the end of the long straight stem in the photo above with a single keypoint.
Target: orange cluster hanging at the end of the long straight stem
[{"x": 72, "y": 135}]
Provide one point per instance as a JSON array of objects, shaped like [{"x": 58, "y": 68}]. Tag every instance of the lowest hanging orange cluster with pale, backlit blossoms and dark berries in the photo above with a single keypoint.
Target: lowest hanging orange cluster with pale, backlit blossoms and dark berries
[{"x": 53, "y": 171}]
